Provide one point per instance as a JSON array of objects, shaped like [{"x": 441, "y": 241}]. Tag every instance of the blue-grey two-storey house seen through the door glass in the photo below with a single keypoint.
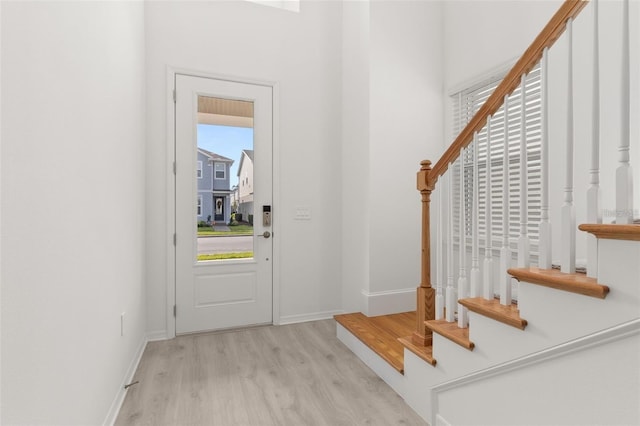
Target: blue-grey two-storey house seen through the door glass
[{"x": 214, "y": 188}]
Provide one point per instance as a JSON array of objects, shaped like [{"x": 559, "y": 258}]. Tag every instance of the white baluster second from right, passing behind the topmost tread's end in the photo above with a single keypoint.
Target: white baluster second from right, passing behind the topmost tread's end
[{"x": 594, "y": 213}]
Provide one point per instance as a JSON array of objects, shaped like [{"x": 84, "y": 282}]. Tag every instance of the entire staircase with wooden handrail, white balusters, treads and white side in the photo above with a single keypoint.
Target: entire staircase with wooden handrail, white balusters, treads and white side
[{"x": 567, "y": 350}]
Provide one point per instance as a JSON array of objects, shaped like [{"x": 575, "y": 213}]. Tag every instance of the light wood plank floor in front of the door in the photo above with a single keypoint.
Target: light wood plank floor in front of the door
[{"x": 298, "y": 374}]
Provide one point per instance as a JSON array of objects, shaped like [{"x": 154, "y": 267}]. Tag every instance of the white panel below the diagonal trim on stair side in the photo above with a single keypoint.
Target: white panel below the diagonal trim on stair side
[{"x": 591, "y": 380}]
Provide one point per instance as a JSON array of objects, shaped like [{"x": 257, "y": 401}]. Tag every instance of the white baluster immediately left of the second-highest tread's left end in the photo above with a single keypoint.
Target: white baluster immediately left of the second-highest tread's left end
[{"x": 505, "y": 252}]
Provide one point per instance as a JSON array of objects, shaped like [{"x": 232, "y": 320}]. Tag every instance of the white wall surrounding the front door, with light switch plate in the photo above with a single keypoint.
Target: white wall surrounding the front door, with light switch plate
[{"x": 301, "y": 52}]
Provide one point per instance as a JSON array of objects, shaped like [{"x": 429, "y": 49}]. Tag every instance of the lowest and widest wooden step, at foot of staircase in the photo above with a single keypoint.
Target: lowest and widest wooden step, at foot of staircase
[{"x": 371, "y": 333}]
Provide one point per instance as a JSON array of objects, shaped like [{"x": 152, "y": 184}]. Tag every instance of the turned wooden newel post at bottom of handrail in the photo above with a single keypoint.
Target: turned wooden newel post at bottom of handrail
[{"x": 425, "y": 294}]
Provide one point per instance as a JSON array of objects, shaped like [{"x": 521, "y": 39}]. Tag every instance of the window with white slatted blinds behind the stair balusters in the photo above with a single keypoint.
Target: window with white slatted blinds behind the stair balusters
[{"x": 466, "y": 103}]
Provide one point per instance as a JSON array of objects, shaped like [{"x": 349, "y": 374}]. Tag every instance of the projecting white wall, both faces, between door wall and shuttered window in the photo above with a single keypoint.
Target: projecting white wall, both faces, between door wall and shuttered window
[{"x": 392, "y": 94}]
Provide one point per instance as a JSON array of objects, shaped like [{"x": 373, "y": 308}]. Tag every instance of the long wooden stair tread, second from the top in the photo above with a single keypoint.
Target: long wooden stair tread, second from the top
[{"x": 574, "y": 283}]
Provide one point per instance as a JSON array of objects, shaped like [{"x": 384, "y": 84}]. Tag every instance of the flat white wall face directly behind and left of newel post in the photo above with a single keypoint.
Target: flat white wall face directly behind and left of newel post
[{"x": 406, "y": 127}]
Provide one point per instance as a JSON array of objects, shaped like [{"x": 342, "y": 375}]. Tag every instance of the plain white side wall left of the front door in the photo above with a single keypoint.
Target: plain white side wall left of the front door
[{"x": 72, "y": 207}]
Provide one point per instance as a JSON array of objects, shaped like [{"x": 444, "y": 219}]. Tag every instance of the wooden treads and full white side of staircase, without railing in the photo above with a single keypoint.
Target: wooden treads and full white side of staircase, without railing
[{"x": 571, "y": 358}]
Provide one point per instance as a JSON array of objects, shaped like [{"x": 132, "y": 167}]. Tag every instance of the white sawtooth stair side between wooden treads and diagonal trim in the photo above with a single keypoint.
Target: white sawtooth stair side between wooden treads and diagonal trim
[{"x": 554, "y": 318}]
